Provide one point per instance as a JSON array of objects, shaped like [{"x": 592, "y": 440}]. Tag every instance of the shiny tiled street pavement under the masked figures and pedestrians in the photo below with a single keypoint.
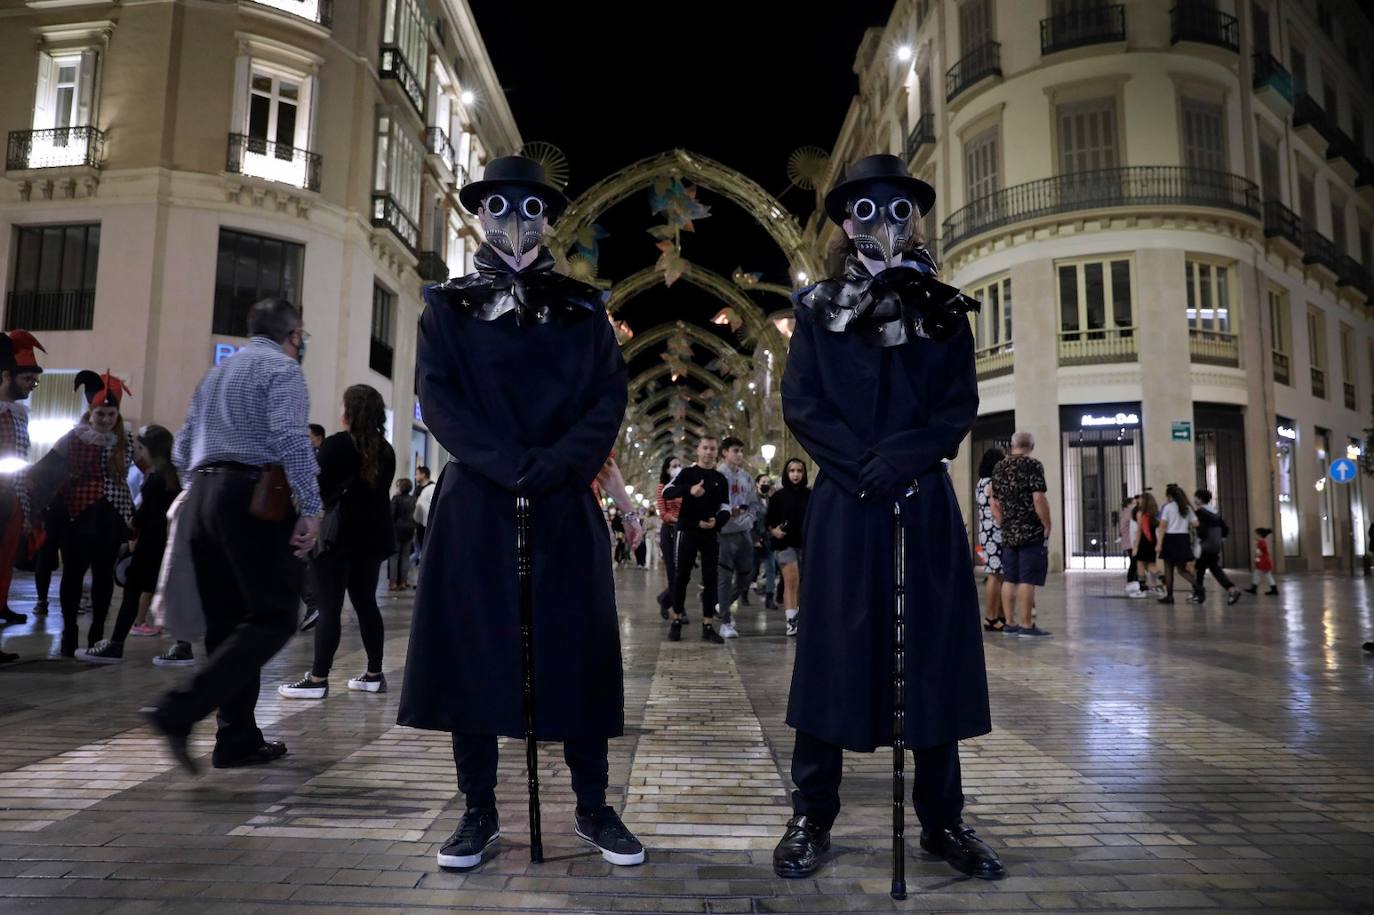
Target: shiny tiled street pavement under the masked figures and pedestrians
[{"x": 1147, "y": 759}]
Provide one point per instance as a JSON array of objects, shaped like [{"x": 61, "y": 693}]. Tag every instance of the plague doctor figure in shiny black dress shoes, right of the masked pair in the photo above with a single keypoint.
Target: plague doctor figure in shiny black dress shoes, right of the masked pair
[{"x": 881, "y": 389}]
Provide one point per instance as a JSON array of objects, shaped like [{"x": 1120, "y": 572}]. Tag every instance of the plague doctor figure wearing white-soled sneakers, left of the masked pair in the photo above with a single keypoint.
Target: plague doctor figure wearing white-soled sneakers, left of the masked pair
[{"x": 523, "y": 383}]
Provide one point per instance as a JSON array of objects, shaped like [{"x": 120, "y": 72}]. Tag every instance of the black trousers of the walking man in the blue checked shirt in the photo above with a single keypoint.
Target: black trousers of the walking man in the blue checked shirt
[{"x": 251, "y": 590}]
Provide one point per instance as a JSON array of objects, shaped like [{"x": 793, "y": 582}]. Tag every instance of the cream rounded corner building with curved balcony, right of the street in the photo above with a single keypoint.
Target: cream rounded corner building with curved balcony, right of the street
[{"x": 1166, "y": 208}]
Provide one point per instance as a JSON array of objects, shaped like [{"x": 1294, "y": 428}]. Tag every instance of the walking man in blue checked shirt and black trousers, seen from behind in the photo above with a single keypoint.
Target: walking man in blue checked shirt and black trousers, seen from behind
[{"x": 248, "y": 413}]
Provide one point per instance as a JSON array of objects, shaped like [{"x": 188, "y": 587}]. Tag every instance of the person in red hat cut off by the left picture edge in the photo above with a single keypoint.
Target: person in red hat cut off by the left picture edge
[{"x": 19, "y": 377}]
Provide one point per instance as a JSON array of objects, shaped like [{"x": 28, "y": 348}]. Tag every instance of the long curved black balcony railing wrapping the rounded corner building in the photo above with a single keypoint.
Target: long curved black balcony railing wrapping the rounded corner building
[{"x": 1130, "y": 186}]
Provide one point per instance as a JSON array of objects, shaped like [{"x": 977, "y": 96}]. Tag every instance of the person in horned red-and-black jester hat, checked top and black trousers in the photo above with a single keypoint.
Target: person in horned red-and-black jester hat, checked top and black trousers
[{"x": 86, "y": 477}]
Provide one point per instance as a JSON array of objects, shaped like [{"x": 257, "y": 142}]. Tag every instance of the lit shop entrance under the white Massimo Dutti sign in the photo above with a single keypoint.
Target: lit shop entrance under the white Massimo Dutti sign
[{"x": 1101, "y": 469}]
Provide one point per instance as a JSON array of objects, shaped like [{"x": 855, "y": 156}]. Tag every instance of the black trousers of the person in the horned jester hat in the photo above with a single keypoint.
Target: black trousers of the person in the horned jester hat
[{"x": 90, "y": 543}]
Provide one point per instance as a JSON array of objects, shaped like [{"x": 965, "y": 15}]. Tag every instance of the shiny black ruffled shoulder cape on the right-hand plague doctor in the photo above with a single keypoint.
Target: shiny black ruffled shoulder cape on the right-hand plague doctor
[{"x": 888, "y": 310}]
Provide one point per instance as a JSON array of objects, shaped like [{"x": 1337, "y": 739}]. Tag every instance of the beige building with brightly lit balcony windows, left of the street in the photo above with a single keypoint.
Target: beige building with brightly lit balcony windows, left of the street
[{"x": 170, "y": 164}]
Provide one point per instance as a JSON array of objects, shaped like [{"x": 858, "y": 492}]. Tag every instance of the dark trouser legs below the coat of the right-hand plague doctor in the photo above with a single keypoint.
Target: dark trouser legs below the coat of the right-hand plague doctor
[{"x": 936, "y": 785}]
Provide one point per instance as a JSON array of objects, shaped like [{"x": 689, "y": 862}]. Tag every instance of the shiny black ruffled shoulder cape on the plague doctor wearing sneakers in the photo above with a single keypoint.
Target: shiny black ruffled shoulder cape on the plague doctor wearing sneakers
[{"x": 538, "y": 295}]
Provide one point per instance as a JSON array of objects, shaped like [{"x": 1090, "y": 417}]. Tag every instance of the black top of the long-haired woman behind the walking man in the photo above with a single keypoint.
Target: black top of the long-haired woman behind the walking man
[{"x": 365, "y": 517}]
